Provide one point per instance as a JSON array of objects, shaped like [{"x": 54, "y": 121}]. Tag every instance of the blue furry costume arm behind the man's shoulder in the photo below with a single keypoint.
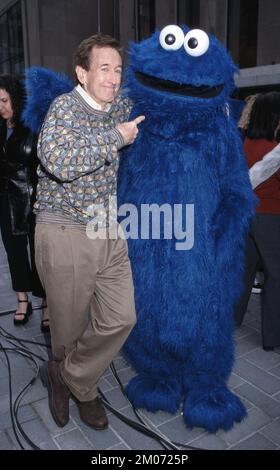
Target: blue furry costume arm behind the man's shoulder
[{"x": 42, "y": 86}]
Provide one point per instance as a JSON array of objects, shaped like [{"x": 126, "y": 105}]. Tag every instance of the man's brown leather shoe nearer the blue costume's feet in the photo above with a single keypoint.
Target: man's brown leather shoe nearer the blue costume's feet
[{"x": 93, "y": 413}]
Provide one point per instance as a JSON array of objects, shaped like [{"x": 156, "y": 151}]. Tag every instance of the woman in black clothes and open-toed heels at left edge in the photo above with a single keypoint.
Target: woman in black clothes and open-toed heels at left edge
[{"x": 17, "y": 189}]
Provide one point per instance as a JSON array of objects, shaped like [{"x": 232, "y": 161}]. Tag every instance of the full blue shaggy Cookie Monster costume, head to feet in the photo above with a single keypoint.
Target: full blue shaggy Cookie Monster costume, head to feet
[{"x": 188, "y": 151}]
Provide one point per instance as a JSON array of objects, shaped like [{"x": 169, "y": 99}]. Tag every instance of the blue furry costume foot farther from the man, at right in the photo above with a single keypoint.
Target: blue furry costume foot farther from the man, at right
[{"x": 213, "y": 409}]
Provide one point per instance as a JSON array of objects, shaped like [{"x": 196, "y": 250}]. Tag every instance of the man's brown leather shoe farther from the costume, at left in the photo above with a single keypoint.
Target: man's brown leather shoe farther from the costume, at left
[{"x": 58, "y": 392}]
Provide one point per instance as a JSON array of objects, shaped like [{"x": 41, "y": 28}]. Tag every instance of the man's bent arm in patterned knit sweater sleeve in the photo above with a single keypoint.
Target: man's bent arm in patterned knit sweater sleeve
[{"x": 68, "y": 145}]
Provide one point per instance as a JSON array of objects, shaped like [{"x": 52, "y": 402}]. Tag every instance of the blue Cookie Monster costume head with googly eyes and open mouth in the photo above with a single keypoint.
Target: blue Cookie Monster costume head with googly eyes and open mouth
[{"x": 180, "y": 65}]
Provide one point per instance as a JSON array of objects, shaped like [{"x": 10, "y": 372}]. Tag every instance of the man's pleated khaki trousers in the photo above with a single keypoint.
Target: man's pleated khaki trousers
[{"x": 90, "y": 297}]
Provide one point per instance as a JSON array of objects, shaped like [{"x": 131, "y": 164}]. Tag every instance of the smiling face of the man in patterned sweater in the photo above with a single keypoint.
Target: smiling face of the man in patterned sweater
[{"x": 102, "y": 80}]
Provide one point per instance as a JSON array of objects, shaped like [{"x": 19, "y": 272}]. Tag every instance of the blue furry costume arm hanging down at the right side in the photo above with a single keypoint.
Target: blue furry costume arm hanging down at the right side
[{"x": 238, "y": 202}]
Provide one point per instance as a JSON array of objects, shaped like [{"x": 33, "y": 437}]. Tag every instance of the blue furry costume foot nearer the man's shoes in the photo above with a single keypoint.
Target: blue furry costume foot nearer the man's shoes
[{"x": 154, "y": 394}]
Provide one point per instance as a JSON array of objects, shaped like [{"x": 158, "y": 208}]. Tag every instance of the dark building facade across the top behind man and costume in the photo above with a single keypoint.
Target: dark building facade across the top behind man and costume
[{"x": 45, "y": 32}]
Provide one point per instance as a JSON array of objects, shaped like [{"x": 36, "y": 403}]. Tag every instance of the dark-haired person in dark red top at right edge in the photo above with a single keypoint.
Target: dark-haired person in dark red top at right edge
[{"x": 262, "y": 135}]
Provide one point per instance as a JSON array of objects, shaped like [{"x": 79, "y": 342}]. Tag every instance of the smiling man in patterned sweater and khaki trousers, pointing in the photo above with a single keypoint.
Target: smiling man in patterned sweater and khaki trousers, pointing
[{"x": 88, "y": 279}]
